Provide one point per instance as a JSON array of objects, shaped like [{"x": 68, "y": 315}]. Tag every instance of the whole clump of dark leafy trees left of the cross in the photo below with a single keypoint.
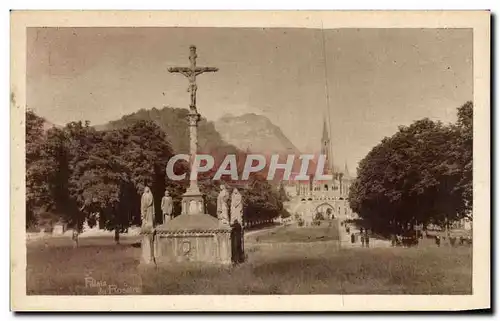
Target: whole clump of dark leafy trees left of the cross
[{"x": 75, "y": 172}]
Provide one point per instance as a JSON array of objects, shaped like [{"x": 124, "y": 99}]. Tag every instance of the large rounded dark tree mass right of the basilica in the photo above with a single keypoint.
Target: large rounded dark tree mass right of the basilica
[{"x": 413, "y": 177}]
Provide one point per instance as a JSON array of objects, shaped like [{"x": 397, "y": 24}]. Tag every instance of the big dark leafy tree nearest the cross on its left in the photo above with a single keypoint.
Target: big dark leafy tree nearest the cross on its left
[{"x": 120, "y": 163}]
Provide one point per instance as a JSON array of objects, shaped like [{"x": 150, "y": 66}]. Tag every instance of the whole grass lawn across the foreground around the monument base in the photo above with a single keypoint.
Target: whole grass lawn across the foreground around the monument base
[{"x": 272, "y": 268}]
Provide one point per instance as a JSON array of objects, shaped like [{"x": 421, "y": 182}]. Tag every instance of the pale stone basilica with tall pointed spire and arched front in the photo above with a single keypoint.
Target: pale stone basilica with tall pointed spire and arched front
[{"x": 327, "y": 199}]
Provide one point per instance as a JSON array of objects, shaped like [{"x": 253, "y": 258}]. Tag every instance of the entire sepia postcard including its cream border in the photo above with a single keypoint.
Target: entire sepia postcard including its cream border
[{"x": 309, "y": 159}]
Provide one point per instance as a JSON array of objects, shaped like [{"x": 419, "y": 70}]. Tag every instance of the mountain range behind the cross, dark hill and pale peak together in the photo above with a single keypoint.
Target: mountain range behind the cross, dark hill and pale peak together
[{"x": 228, "y": 135}]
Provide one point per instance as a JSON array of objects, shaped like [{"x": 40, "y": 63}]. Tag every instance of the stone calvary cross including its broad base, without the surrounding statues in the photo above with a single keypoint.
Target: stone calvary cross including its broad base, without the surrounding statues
[{"x": 193, "y": 236}]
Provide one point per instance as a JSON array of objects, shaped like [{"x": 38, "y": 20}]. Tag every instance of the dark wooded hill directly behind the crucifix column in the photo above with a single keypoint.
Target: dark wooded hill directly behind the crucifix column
[{"x": 173, "y": 121}]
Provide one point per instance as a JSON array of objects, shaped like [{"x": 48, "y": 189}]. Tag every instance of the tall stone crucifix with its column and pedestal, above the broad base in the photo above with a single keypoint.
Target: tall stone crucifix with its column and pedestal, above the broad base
[{"x": 192, "y": 200}]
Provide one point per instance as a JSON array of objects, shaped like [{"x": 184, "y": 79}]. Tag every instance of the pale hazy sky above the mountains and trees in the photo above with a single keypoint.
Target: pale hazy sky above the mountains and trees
[{"x": 365, "y": 82}]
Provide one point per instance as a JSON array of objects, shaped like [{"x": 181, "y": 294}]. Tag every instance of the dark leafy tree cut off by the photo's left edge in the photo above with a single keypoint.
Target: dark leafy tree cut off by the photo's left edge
[{"x": 50, "y": 156}]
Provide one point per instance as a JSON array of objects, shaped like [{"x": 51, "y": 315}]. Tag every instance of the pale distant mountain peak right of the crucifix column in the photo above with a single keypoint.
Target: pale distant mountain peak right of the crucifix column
[{"x": 255, "y": 133}]
